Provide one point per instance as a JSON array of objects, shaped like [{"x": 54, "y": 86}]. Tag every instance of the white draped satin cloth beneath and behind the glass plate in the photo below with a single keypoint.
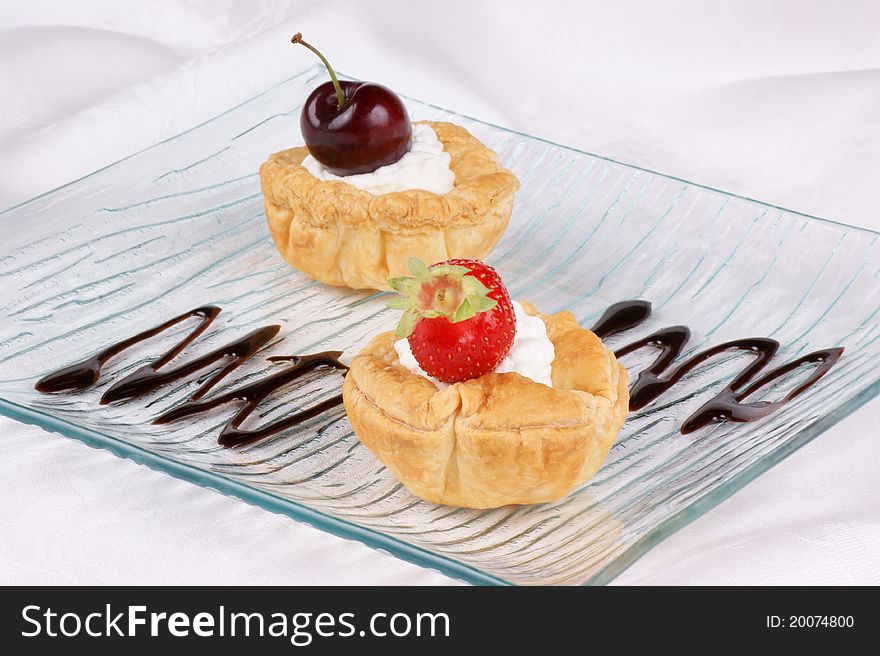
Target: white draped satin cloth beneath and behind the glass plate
[{"x": 777, "y": 100}]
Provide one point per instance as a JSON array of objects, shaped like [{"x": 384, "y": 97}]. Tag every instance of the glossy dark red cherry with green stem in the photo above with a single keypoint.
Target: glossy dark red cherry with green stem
[{"x": 354, "y": 127}]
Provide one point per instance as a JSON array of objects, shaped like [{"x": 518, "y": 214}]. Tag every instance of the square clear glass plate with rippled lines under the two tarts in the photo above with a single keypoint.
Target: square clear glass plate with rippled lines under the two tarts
[{"x": 181, "y": 224}]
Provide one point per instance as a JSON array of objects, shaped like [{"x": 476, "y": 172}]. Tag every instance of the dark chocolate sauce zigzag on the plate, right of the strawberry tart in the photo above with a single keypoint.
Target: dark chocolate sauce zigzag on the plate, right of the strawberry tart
[{"x": 728, "y": 404}]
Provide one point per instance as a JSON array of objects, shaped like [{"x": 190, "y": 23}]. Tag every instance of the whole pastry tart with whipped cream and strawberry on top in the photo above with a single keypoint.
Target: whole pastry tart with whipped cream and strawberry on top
[{"x": 479, "y": 401}]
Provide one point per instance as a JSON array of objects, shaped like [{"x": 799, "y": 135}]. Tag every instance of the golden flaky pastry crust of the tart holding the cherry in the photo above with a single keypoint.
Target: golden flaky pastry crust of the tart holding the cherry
[{"x": 342, "y": 235}]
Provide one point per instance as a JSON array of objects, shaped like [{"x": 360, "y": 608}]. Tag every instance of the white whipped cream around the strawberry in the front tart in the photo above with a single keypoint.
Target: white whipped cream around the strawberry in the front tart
[{"x": 531, "y": 354}]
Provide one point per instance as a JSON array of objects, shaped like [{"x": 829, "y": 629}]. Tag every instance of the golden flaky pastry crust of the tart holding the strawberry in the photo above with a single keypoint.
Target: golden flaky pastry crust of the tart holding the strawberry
[{"x": 495, "y": 440}]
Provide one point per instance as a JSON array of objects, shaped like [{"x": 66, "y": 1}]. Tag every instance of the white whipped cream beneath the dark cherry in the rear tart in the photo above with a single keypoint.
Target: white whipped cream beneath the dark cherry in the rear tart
[{"x": 425, "y": 166}]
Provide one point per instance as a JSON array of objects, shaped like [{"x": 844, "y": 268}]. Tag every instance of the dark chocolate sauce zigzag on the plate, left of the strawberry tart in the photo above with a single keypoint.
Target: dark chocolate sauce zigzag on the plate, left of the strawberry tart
[{"x": 151, "y": 376}]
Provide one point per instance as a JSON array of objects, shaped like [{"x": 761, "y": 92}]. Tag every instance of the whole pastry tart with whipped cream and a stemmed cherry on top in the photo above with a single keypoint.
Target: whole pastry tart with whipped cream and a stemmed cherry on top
[{"x": 370, "y": 189}]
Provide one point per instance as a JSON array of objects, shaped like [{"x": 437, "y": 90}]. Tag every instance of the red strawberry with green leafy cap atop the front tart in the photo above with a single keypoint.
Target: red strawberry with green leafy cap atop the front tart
[{"x": 459, "y": 320}]
